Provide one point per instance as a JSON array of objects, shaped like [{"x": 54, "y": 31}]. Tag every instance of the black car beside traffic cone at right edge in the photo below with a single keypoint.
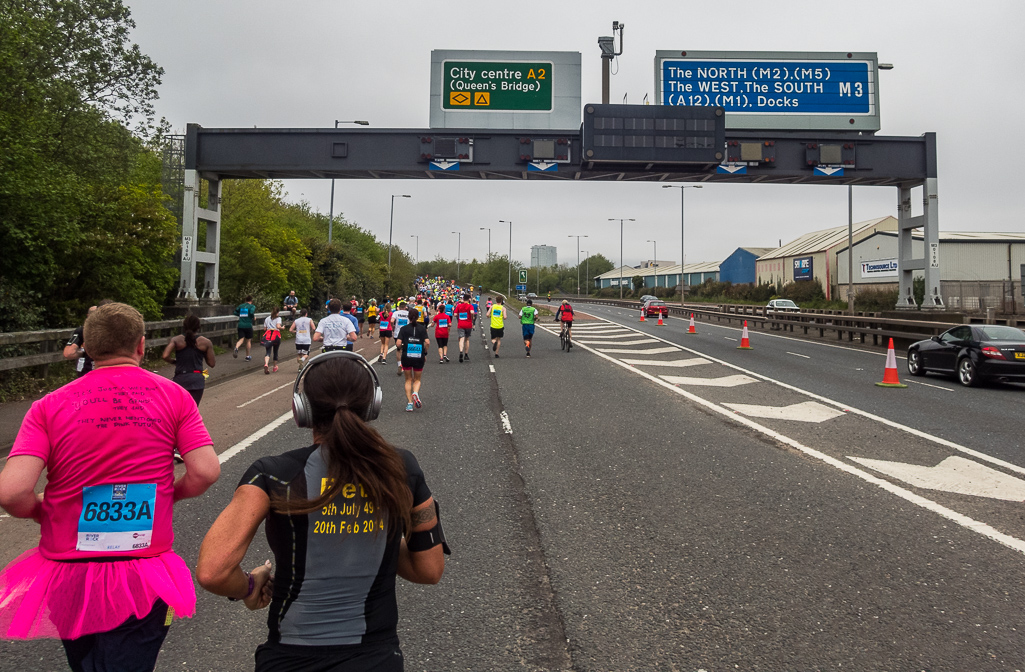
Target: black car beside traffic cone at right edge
[{"x": 972, "y": 353}]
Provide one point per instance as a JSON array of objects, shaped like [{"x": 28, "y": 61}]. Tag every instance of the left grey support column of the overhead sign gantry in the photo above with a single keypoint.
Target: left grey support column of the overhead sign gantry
[{"x": 194, "y": 217}]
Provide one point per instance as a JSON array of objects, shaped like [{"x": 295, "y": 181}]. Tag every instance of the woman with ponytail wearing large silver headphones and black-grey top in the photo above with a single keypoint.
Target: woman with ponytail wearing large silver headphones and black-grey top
[{"x": 343, "y": 518}]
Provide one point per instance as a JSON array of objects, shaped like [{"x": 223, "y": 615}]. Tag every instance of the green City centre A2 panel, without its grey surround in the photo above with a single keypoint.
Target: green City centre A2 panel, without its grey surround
[{"x": 497, "y": 87}]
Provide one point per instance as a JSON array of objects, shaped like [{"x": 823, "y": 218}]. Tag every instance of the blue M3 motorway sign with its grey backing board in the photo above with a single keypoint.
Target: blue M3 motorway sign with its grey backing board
[{"x": 775, "y": 90}]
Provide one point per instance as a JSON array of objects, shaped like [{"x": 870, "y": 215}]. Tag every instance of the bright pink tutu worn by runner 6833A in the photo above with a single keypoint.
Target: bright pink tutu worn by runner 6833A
[{"x": 47, "y": 599}]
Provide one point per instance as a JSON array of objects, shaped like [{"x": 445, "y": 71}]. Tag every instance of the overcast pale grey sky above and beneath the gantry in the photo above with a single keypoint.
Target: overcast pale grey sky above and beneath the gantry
[{"x": 959, "y": 71}]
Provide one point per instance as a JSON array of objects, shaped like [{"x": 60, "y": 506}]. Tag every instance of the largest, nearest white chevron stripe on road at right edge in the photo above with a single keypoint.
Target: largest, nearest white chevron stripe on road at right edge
[{"x": 955, "y": 475}]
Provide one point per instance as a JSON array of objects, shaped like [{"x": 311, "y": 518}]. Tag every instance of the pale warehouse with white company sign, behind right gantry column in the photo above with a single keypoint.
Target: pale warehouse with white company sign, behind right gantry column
[{"x": 978, "y": 271}]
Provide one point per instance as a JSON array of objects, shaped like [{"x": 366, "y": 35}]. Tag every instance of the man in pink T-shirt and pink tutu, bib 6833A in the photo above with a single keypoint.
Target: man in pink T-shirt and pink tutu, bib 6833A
[{"x": 104, "y": 574}]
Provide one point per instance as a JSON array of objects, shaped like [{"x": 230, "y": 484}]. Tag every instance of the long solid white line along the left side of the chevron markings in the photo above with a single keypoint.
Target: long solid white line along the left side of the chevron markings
[{"x": 959, "y": 519}]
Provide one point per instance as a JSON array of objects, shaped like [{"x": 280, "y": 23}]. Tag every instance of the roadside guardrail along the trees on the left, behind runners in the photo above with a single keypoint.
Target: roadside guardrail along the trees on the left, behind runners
[{"x": 44, "y": 349}]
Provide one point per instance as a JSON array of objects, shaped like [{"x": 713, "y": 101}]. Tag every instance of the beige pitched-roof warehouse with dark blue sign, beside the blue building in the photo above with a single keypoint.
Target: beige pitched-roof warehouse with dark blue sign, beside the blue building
[{"x": 813, "y": 257}]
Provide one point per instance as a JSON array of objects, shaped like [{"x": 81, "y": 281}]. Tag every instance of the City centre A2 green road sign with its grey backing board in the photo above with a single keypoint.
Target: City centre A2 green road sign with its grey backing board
[{"x": 506, "y": 90}]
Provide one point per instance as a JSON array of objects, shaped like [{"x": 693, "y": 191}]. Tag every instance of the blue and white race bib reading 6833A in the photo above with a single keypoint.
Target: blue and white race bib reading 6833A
[{"x": 116, "y": 518}]
